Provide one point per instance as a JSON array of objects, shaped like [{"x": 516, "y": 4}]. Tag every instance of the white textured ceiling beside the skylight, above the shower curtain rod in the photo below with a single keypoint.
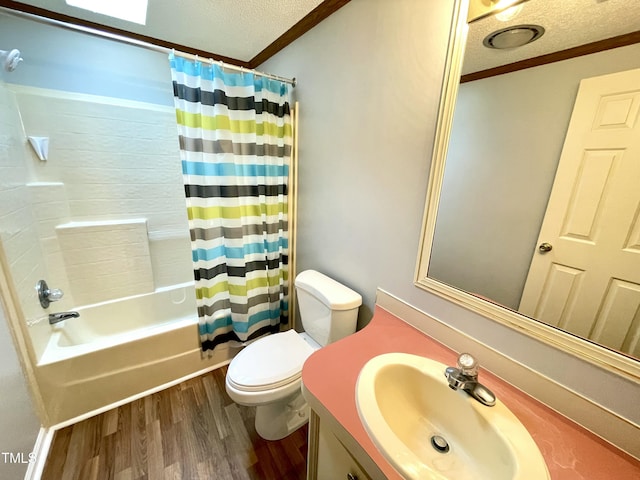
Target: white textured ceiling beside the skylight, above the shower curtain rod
[{"x": 238, "y": 29}]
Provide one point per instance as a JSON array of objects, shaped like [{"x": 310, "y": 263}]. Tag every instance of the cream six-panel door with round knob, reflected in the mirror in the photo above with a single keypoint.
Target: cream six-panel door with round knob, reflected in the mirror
[{"x": 589, "y": 282}]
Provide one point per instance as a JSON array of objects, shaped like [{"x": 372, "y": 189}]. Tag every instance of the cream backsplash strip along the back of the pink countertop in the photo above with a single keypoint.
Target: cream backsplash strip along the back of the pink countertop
[{"x": 604, "y": 423}]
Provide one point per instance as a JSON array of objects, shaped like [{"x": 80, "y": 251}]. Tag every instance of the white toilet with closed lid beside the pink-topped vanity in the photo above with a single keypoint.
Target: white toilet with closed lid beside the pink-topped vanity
[{"x": 267, "y": 373}]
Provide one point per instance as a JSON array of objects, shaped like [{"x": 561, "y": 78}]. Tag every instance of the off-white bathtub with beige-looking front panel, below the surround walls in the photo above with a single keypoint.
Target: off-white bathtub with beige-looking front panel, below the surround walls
[{"x": 120, "y": 350}]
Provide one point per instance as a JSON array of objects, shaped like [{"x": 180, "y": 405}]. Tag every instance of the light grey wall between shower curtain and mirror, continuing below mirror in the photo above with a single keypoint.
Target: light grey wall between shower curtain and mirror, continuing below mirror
[{"x": 374, "y": 68}]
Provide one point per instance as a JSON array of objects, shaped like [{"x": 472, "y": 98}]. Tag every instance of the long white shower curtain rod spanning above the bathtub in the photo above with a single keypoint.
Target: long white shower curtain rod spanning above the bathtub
[{"x": 142, "y": 43}]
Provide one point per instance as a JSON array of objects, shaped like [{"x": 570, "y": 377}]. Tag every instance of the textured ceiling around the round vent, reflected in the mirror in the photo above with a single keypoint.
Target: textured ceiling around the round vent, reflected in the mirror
[{"x": 567, "y": 23}]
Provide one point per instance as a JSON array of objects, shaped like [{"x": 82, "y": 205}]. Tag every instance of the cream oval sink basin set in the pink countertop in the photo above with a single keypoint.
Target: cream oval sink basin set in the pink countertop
[{"x": 426, "y": 430}]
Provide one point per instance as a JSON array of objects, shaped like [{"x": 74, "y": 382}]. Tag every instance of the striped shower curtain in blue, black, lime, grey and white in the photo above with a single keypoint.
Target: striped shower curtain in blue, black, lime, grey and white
[{"x": 235, "y": 143}]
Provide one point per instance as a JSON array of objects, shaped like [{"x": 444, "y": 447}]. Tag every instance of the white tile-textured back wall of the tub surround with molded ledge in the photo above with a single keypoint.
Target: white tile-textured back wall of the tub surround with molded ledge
[{"x": 113, "y": 173}]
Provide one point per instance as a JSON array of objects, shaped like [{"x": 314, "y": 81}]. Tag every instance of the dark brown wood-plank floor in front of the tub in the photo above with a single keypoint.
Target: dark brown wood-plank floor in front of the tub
[{"x": 190, "y": 431}]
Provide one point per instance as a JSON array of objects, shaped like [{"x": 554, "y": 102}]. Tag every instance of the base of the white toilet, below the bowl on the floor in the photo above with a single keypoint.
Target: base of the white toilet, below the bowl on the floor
[{"x": 275, "y": 421}]
